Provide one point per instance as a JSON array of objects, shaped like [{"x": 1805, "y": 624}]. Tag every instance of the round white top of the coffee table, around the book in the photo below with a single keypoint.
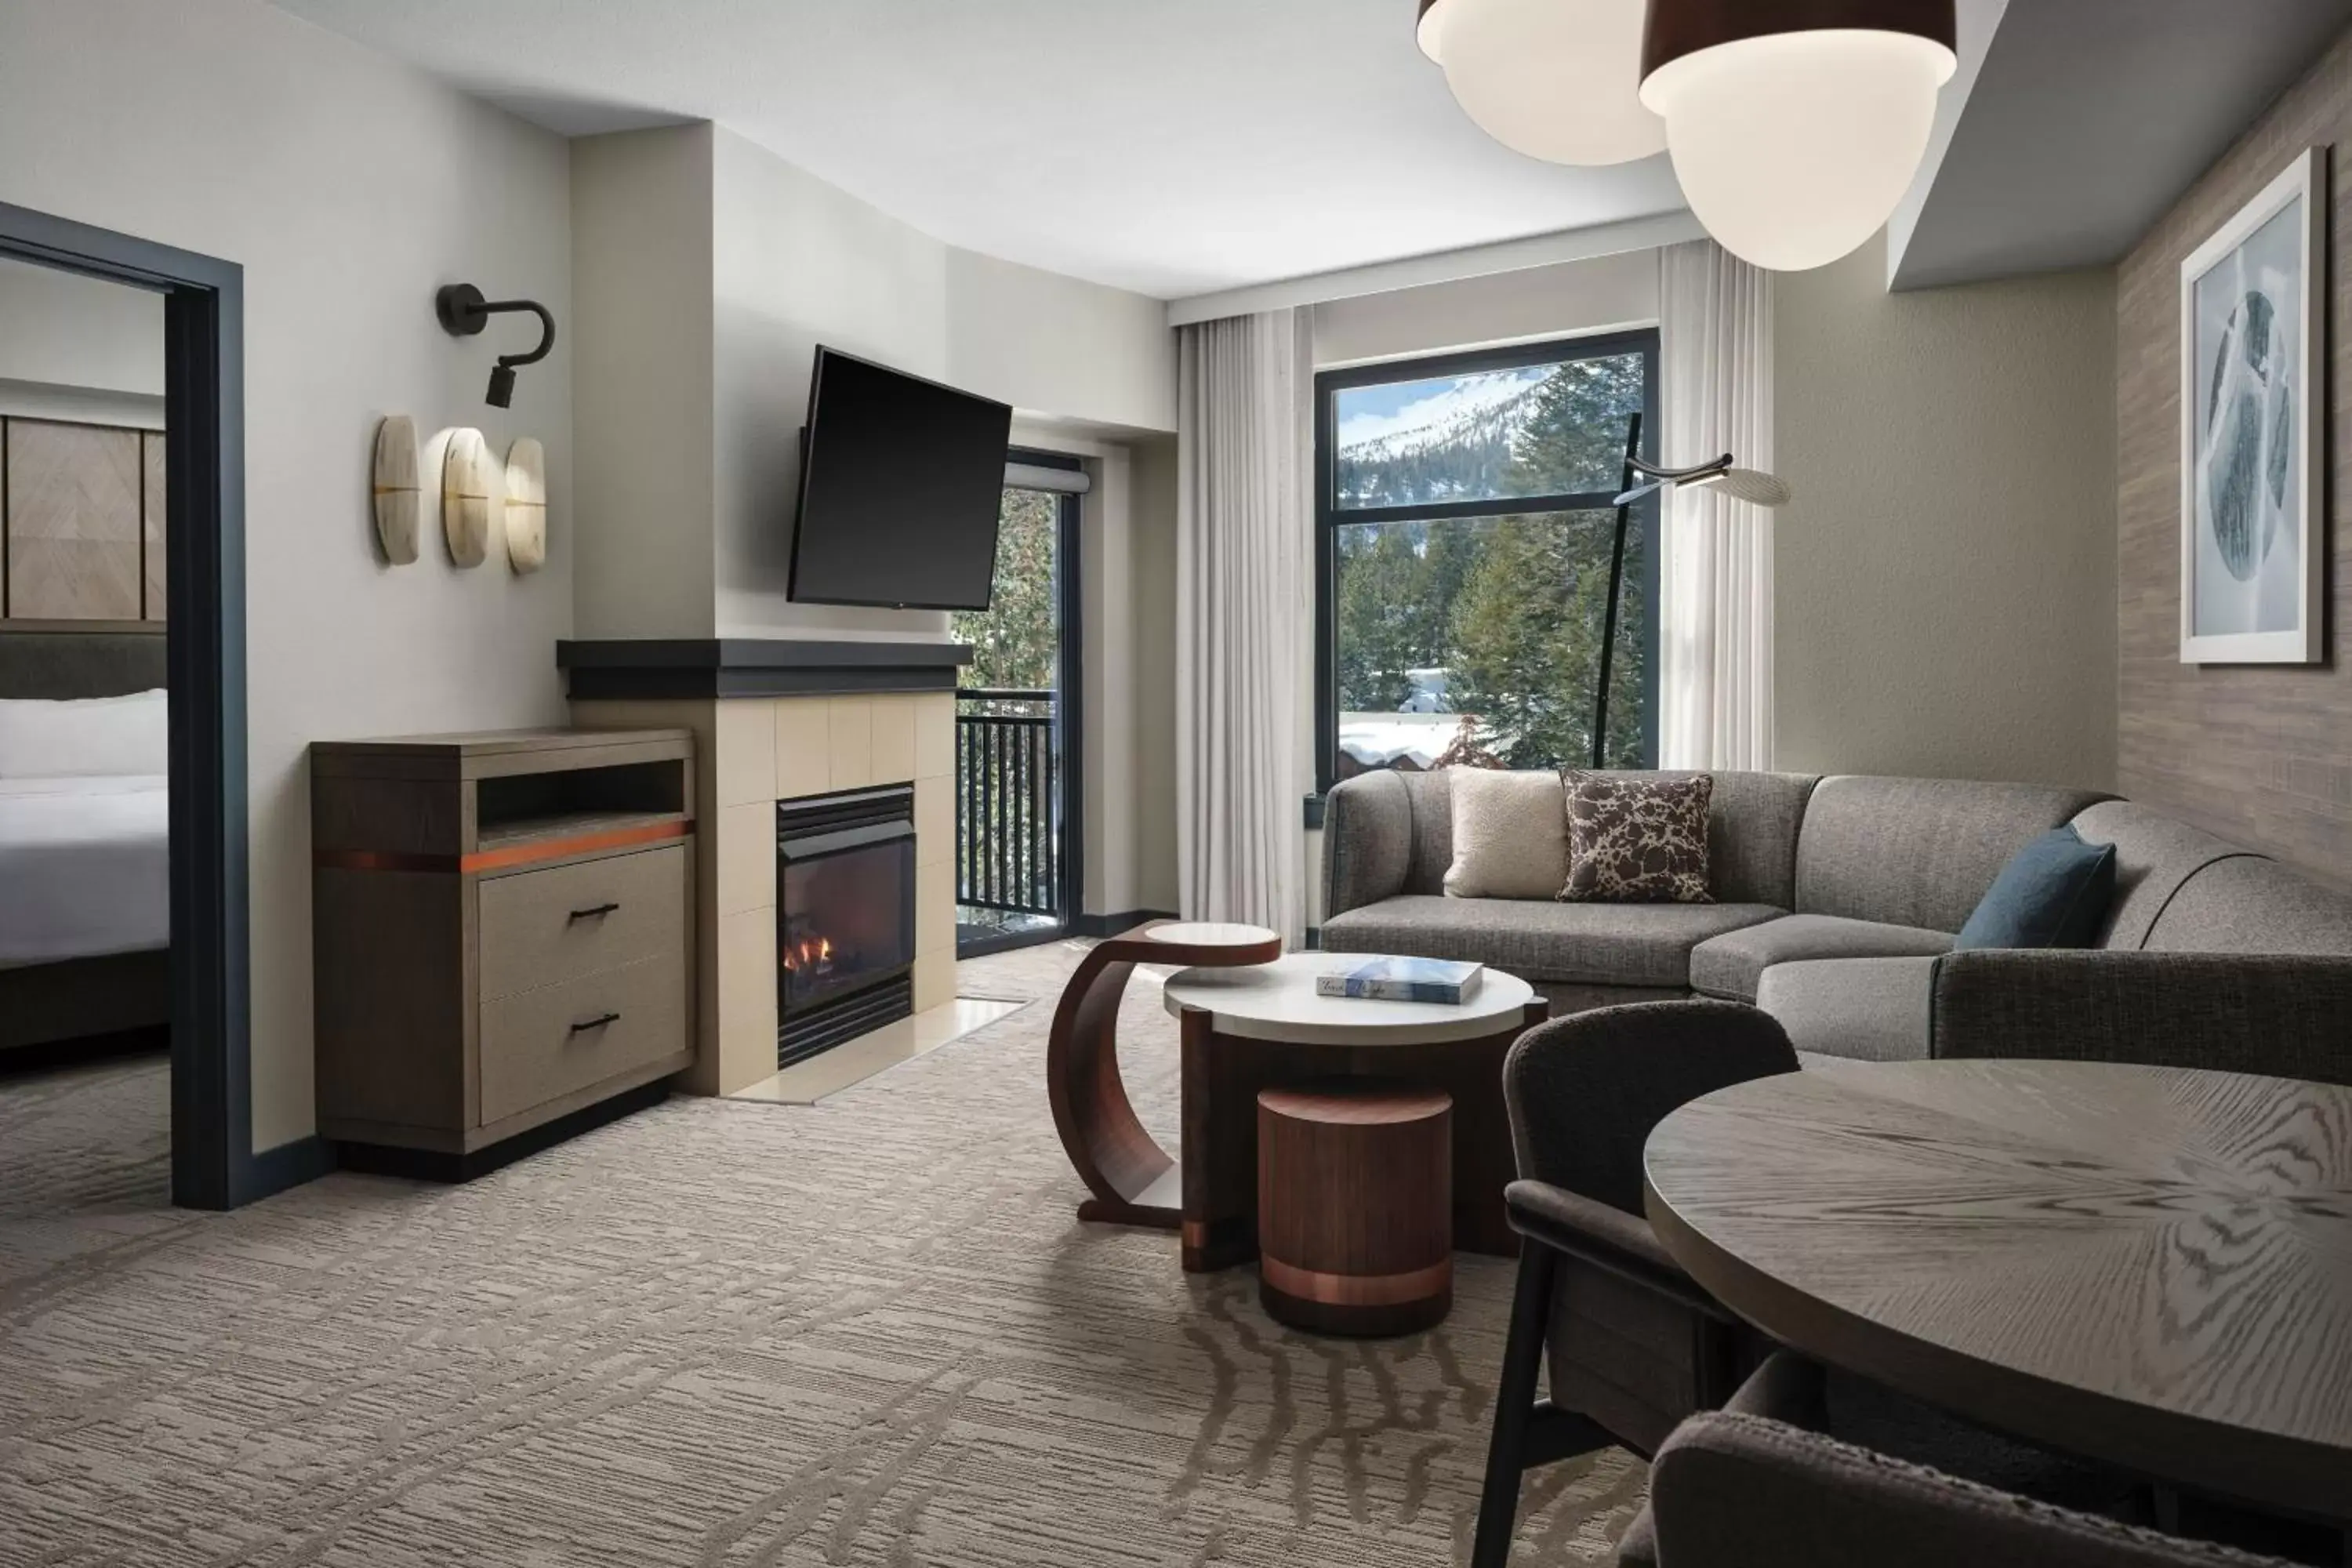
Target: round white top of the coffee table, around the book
[{"x": 1278, "y": 1003}]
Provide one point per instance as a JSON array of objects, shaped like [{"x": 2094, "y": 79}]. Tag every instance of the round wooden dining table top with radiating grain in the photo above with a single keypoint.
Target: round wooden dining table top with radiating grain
[{"x": 2141, "y": 1266}]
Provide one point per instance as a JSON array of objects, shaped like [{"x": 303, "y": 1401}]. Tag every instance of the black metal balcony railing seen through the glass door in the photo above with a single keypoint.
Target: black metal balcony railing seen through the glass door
[{"x": 1008, "y": 791}]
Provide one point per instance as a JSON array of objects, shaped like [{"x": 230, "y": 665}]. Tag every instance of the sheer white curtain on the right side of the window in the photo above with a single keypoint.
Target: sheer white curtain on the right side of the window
[{"x": 1716, "y": 601}]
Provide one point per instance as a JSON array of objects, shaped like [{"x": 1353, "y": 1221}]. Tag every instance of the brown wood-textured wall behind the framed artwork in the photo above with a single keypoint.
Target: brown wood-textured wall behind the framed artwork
[{"x": 2257, "y": 753}]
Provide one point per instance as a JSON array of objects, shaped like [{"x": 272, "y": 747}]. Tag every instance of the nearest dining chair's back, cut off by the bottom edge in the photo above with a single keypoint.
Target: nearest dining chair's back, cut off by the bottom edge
[{"x": 1758, "y": 1487}]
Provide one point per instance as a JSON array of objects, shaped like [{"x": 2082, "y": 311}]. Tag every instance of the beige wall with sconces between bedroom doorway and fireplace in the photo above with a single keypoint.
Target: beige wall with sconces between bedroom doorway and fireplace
[{"x": 347, "y": 189}]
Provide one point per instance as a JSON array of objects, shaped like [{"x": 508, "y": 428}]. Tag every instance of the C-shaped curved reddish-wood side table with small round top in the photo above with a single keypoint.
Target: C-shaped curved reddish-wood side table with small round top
[{"x": 1132, "y": 1179}]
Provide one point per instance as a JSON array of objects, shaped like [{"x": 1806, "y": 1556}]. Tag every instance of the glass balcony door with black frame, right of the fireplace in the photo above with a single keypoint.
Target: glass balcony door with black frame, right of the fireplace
[{"x": 1017, "y": 723}]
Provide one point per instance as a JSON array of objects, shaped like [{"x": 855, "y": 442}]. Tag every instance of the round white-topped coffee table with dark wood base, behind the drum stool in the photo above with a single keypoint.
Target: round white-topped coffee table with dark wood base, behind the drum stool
[{"x": 1264, "y": 1028}]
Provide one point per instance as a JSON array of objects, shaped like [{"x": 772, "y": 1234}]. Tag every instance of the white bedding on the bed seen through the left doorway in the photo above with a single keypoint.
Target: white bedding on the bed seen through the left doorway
[{"x": 83, "y": 866}]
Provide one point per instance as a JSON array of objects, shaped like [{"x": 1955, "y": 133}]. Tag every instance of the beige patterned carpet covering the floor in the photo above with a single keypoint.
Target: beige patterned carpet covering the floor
[{"x": 714, "y": 1334}]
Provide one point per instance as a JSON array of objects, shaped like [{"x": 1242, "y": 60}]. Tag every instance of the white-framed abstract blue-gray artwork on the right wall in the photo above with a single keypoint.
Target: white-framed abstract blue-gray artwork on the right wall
[{"x": 2252, "y": 429}]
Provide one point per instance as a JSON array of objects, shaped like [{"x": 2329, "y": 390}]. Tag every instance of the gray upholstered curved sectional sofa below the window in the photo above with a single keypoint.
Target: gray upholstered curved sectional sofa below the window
[{"x": 1836, "y": 911}]
